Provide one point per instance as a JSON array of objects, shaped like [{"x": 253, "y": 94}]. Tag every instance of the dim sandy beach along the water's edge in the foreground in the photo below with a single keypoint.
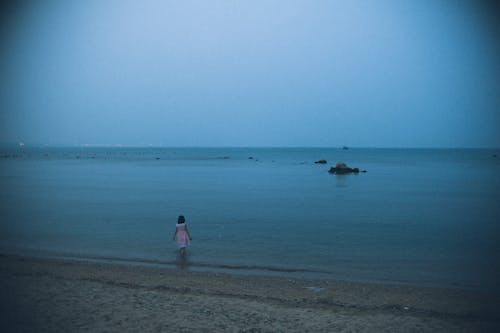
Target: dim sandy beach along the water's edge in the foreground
[{"x": 55, "y": 295}]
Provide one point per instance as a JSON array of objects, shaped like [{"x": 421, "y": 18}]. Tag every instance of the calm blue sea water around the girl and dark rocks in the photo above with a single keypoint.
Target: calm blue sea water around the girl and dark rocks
[{"x": 419, "y": 216}]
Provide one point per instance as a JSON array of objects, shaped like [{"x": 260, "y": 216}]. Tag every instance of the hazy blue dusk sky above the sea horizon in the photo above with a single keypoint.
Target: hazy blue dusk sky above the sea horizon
[{"x": 374, "y": 73}]
